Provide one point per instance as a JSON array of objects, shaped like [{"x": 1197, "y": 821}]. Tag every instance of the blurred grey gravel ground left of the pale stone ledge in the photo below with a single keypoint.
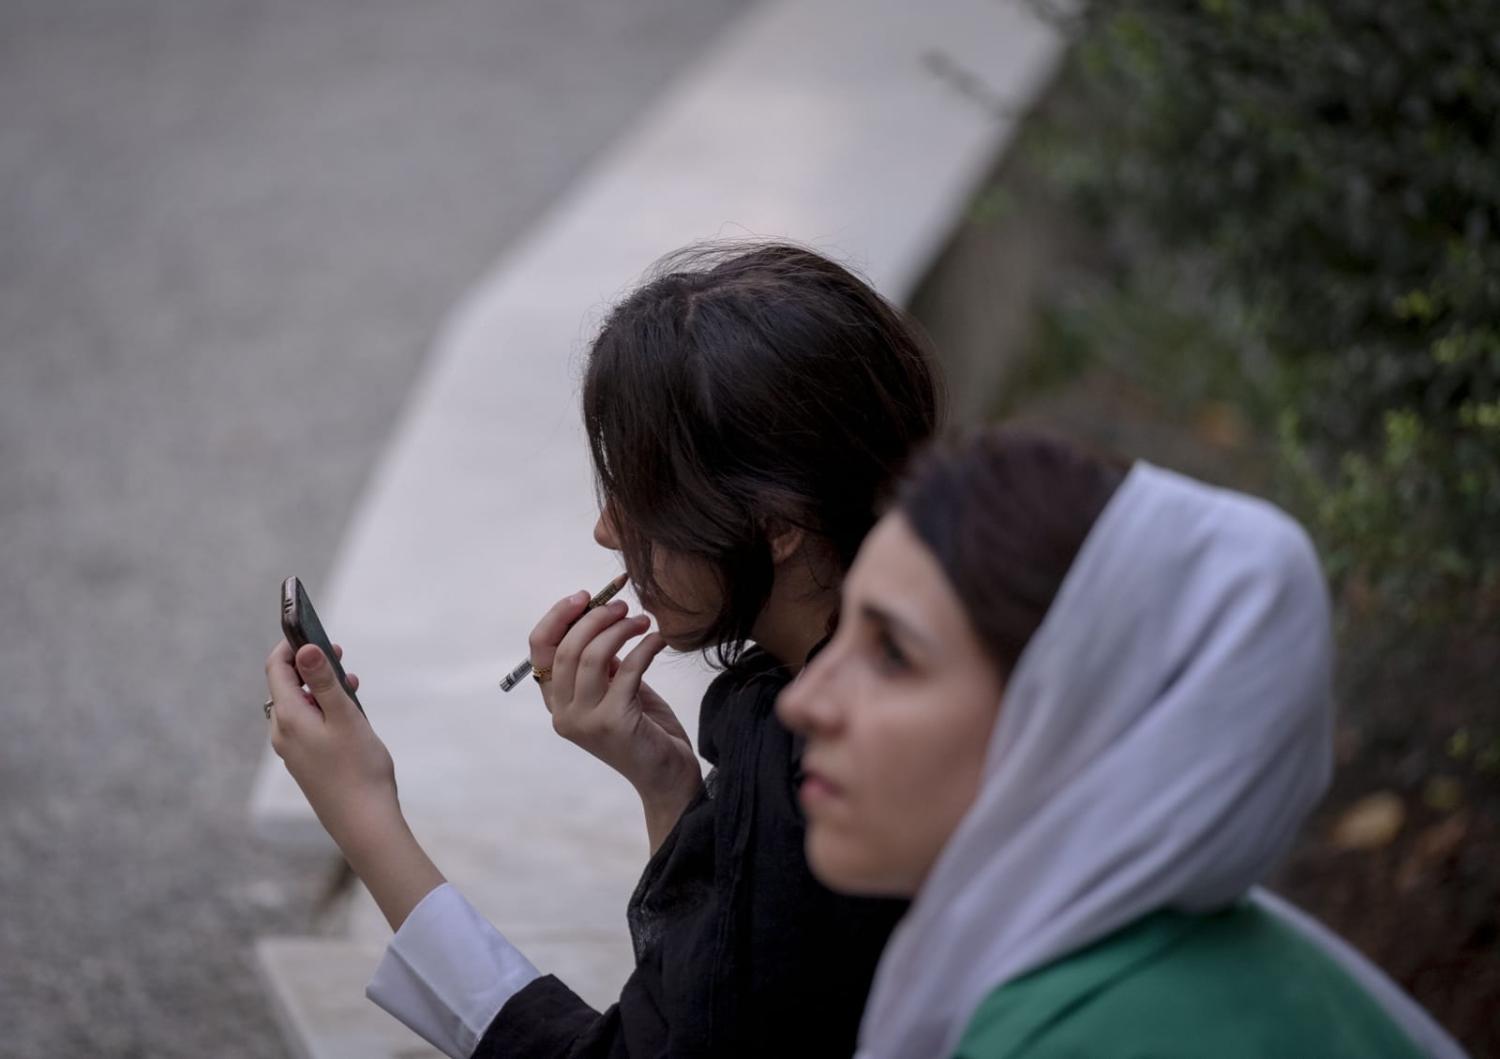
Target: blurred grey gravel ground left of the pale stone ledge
[{"x": 229, "y": 232}]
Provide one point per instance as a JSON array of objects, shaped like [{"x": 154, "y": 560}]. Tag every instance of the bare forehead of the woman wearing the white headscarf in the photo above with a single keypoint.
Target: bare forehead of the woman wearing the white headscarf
[{"x": 898, "y": 574}]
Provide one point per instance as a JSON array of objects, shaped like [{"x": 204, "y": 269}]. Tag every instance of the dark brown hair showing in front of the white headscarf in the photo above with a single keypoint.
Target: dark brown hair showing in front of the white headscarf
[{"x": 1006, "y": 514}]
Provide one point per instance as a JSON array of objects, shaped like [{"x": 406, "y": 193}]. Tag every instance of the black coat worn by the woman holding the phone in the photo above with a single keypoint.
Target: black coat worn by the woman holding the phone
[{"x": 739, "y": 950}]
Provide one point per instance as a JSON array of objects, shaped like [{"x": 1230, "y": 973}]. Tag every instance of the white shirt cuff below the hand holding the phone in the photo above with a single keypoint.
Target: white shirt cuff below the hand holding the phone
[{"x": 448, "y": 973}]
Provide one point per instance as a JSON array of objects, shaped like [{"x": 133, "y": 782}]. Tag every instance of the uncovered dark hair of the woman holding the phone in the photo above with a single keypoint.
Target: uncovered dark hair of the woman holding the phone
[{"x": 743, "y": 391}]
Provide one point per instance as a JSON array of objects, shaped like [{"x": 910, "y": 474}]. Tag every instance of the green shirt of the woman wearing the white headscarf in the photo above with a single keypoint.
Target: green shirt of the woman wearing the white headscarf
[{"x": 1237, "y": 985}]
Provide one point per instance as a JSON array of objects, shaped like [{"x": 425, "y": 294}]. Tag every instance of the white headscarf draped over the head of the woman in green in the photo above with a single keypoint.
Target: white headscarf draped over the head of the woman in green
[{"x": 1162, "y": 740}]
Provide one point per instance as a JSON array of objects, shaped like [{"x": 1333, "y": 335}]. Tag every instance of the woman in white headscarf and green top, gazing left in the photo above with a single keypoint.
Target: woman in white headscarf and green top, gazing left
[{"x": 1079, "y": 713}]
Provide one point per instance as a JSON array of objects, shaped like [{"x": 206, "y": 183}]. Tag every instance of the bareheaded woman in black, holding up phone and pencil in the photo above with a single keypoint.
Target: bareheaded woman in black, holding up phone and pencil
[{"x": 745, "y": 412}]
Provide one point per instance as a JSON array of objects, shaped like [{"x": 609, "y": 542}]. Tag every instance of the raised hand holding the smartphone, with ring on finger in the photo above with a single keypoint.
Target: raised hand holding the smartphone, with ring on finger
[{"x": 331, "y": 749}]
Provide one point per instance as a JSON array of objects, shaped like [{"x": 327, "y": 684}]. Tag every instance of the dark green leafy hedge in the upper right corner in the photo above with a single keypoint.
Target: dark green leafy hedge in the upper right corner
[{"x": 1318, "y": 188}]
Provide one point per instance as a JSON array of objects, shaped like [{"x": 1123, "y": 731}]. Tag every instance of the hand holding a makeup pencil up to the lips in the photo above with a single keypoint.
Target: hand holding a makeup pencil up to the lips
[{"x": 602, "y": 704}]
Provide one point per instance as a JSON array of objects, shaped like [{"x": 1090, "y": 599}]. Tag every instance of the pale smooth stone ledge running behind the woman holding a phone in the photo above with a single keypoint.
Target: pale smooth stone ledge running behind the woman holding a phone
[{"x": 860, "y": 127}]
